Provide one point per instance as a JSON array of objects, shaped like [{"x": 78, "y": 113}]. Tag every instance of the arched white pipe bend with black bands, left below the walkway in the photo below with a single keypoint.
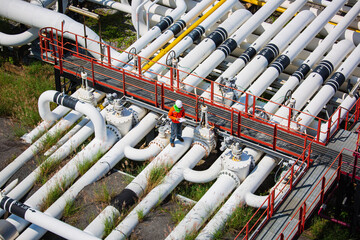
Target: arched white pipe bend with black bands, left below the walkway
[{"x": 72, "y": 103}]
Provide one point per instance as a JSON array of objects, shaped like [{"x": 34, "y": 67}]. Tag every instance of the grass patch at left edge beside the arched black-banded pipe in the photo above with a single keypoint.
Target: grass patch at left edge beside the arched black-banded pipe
[{"x": 20, "y": 90}]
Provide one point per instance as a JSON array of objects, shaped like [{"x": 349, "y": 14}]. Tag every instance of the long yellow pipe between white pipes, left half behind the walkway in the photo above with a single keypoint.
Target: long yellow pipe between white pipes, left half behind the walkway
[{"x": 178, "y": 39}]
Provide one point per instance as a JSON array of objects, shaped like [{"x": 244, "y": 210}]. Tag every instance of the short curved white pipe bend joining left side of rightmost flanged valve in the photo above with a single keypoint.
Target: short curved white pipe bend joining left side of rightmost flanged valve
[{"x": 203, "y": 176}]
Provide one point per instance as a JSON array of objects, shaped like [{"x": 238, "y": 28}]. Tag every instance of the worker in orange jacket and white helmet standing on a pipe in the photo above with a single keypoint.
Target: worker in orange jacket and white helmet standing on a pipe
[{"x": 176, "y": 114}]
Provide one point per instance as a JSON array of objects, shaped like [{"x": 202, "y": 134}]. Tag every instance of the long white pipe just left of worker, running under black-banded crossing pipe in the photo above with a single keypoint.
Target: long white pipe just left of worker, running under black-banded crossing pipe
[{"x": 101, "y": 167}]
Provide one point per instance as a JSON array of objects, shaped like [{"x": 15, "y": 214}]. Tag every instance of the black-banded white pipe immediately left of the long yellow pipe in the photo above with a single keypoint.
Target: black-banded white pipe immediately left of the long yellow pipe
[{"x": 172, "y": 31}]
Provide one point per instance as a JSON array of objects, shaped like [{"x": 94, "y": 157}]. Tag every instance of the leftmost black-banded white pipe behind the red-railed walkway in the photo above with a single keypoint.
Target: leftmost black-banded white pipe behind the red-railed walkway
[{"x": 153, "y": 33}]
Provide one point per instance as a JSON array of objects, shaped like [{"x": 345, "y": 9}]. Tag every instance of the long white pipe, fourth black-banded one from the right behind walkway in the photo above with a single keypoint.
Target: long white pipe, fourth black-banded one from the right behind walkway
[{"x": 278, "y": 66}]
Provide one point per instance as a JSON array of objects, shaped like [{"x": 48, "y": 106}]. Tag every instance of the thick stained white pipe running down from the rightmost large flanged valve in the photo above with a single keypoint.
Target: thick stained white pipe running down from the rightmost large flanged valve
[{"x": 203, "y": 209}]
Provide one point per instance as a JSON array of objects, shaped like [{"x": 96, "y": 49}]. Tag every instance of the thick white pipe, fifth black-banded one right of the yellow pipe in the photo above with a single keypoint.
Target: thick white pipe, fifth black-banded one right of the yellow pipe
[{"x": 273, "y": 49}]
